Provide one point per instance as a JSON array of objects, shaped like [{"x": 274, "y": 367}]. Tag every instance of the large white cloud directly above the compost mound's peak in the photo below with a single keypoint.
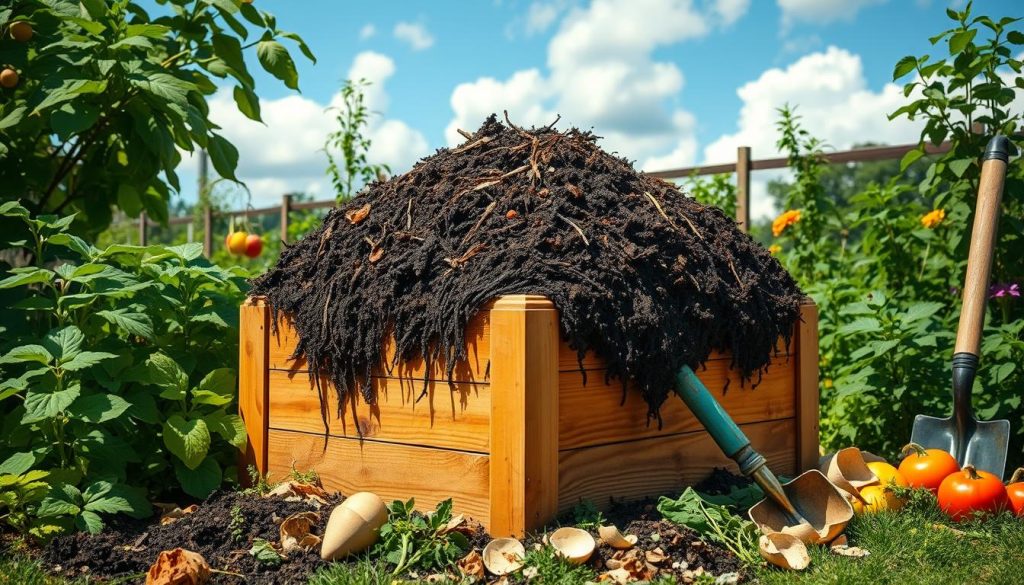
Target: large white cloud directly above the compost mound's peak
[{"x": 603, "y": 74}]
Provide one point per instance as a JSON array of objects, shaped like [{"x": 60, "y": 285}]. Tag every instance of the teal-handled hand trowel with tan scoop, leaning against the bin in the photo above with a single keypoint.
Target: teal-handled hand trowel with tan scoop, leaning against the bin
[{"x": 810, "y": 507}]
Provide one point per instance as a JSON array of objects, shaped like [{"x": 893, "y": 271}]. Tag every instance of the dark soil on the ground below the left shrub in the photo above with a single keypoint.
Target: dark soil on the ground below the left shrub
[{"x": 130, "y": 549}]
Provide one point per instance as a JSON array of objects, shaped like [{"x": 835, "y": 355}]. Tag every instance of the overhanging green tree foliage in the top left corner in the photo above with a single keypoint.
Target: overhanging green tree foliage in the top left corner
[{"x": 111, "y": 95}]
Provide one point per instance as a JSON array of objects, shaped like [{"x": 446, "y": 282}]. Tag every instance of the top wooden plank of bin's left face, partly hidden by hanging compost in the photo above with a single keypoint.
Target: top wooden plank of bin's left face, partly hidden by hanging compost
[{"x": 283, "y": 345}]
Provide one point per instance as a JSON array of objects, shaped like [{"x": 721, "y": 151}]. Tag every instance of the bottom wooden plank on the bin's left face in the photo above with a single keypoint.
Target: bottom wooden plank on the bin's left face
[{"x": 392, "y": 472}]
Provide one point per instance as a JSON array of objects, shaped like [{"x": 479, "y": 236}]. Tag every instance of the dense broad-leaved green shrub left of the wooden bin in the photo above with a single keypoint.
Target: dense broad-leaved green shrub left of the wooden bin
[{"x": 112, "y": 380}]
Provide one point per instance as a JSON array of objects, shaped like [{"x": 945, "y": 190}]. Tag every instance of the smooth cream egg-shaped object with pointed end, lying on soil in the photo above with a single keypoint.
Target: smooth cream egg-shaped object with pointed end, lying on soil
[{"x": 354, "y": 526}]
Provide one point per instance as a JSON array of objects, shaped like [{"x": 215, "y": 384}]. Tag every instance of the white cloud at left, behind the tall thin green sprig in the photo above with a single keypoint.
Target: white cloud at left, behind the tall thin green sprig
[{"x": 286, "y": 154}]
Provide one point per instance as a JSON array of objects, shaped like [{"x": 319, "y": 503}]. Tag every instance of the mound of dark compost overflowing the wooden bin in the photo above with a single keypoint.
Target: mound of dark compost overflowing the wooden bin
[{"x": 645, "y": 277}]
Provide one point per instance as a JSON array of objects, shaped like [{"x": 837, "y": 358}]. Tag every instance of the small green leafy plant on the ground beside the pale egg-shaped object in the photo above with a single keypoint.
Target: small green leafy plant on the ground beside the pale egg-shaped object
[{"x": 414, "y": 541}]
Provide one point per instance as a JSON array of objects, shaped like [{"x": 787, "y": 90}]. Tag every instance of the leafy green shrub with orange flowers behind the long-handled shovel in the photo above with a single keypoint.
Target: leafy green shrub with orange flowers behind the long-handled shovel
[{"x": 886, "y": 267}]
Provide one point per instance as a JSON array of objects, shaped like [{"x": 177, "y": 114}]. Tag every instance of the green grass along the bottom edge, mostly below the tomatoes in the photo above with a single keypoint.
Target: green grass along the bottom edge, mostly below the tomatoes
[{"x": 915, "y": 546}]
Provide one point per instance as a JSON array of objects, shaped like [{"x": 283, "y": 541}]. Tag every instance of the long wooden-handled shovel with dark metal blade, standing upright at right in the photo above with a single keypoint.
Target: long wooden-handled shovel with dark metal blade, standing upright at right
[{"x": 983, "y": 444}]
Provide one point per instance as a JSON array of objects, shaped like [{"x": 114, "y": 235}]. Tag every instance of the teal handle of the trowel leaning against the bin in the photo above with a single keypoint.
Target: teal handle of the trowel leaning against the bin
[{"x": 722, "y": 429}]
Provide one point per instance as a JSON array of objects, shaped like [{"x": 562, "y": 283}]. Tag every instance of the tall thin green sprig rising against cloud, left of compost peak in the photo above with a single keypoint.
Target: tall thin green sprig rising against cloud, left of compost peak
[{"x": 350, "y": 142}]
